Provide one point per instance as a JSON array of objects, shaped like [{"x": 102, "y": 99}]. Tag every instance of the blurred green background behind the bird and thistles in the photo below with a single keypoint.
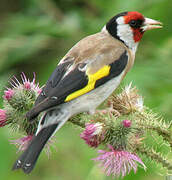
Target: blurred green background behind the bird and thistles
[{"x": 36, "y": 34}]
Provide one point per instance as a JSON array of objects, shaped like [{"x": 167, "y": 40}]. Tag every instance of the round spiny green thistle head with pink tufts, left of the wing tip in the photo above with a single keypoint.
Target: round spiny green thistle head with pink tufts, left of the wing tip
[{"x": 18, "y": 100}]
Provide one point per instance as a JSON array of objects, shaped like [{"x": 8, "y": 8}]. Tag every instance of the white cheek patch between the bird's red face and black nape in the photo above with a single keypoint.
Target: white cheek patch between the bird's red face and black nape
[{"x": 125, "y": 33}]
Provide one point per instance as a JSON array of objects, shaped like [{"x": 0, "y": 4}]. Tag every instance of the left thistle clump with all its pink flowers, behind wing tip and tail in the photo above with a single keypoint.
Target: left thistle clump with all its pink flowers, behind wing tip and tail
[{"x": 17, "y": 101}]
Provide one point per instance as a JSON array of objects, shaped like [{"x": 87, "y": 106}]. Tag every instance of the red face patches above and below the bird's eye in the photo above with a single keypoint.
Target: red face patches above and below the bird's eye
[{"x": 137, "y": 32}]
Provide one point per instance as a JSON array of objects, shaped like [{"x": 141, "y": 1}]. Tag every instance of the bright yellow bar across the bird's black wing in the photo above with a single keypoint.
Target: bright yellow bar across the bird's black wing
[{"x": 92, "y": 78}]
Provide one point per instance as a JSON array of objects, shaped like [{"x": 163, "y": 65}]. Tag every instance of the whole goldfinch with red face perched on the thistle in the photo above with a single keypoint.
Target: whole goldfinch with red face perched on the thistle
[{"x": 85, "y": 77}]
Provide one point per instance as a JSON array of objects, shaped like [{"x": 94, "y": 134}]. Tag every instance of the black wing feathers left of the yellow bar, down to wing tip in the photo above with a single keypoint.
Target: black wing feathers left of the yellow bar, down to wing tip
[{"x": 58, "y": 88}]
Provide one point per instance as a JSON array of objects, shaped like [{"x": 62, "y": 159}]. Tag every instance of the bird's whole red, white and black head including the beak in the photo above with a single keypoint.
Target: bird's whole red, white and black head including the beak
[{"x": 129, "y": 27}]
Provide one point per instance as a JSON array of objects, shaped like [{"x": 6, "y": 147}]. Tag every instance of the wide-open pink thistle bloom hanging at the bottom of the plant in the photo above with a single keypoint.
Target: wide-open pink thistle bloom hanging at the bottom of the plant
[{"x": 118, "y": 163}]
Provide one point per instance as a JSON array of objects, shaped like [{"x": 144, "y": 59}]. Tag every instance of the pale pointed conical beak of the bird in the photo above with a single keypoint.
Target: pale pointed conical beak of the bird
[{"x": 151, "y": 24}]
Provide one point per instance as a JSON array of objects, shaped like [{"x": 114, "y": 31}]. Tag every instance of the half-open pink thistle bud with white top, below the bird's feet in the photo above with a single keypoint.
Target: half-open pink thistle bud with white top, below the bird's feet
[{"x": 92, "y": 134}]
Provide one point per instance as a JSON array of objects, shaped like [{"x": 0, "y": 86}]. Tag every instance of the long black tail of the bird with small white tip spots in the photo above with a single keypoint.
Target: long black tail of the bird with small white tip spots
[{"x": 29, "y": 157}]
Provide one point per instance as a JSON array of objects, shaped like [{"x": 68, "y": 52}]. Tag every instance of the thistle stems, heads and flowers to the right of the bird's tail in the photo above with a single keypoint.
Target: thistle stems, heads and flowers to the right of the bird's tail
[{"x": 129, "y": 130}]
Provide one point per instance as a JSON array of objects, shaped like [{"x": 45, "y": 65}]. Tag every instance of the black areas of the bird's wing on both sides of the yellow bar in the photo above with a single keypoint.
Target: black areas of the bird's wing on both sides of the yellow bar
[{"x": 57, "y": 89}]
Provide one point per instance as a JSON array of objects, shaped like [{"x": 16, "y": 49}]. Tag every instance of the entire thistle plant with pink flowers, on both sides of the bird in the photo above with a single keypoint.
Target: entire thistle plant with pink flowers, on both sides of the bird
[{"x": 126, "y": 133}]
